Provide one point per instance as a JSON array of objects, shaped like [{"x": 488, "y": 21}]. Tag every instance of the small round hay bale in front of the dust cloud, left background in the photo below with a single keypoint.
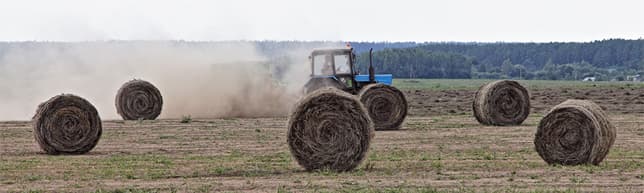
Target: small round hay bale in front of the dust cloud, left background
[{"x": 138, "y": 99}]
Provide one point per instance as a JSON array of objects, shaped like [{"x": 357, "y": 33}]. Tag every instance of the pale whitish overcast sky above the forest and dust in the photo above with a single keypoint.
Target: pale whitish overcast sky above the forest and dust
[{"x": 344, "y": 20}]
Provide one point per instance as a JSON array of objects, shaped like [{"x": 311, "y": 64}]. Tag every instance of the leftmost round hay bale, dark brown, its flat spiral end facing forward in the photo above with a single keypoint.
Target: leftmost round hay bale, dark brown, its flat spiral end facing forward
[{"x": 67, "y": 124}]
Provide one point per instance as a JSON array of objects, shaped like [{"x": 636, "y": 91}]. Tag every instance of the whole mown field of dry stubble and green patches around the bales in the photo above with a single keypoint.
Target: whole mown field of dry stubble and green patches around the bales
[{"x": 436, "y": 148}]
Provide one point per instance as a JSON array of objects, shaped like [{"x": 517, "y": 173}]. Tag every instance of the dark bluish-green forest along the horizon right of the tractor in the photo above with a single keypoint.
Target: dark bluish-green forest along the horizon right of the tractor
[{"x": 614, "y": 59}]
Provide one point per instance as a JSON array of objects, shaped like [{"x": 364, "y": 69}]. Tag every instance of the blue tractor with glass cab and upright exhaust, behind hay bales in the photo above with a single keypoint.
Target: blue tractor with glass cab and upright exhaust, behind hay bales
[{"x": 336, "y": 68}]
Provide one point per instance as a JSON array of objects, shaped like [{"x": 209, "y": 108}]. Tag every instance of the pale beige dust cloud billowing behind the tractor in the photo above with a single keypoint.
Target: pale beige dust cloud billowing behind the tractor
[{"x": 203, "y": 80}]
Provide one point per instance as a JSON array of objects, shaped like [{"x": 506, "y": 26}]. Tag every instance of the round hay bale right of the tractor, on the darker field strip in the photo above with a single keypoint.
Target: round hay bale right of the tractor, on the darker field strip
[{"x": 500, "y": 103}]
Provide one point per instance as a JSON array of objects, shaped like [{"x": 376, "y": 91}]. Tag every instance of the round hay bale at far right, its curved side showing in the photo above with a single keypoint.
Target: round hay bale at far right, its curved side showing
[{"x": 574, "y": 132}]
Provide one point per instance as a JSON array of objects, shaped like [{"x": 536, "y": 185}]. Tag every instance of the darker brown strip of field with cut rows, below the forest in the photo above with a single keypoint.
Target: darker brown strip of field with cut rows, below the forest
[{"x": 614, "y": 99}]
